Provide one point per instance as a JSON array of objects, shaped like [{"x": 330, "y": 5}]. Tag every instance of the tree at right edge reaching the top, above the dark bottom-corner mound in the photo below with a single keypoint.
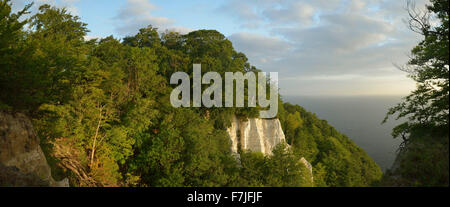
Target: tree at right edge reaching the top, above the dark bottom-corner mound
[{"x": 428, "y": 104}]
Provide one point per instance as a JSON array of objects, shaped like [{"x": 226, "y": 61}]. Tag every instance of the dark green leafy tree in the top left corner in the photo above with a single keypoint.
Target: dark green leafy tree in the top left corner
[{"x": 41, "y": 63}]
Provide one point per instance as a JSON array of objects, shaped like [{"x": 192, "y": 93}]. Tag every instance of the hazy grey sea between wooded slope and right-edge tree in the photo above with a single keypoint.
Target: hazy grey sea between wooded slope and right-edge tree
[{"x": 358, "y": 117}]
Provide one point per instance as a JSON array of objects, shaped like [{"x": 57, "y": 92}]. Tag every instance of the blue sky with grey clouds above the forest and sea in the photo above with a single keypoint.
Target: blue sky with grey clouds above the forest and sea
[{"x": 318, "y": 47}]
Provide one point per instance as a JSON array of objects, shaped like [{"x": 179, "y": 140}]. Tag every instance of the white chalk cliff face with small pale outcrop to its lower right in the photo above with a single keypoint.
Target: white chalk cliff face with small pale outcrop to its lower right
[{"x": 258, "y": 135}]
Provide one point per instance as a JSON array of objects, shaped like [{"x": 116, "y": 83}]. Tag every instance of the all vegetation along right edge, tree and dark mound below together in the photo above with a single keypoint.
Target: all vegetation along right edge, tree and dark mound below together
[{"x": 423, "y": 158}]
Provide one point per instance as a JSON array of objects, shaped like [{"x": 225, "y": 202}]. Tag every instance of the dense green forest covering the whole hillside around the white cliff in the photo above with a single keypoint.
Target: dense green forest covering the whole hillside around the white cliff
[{"x": 101, "y": 108}]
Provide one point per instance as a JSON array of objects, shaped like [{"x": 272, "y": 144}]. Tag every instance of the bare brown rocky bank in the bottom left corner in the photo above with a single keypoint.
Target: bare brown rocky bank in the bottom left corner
[{"x": 20, "y": 153}]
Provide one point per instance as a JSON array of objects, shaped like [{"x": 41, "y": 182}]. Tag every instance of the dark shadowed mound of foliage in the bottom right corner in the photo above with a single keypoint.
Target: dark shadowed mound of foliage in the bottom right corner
[{"x": 423, "y": 162}]
